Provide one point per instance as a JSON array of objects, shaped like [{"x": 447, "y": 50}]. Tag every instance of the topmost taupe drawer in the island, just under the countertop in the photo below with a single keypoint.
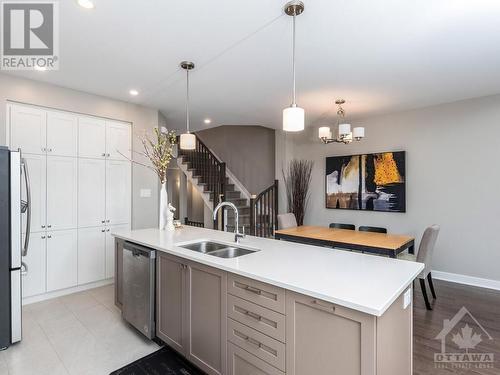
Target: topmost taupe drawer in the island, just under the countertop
[{"x": 257, "y": 292}]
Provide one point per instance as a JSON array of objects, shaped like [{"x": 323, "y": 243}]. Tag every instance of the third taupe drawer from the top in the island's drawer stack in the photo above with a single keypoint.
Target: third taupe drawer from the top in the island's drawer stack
[{"x": 269, "y": 350}]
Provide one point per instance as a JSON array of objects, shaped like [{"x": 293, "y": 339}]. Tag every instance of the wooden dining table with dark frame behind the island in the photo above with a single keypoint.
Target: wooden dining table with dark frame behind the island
[{"x": 368, "y": 242}]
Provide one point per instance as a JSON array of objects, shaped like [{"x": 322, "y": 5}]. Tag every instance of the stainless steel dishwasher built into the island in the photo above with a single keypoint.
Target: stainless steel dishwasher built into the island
[{"x": 139, "y": 288}]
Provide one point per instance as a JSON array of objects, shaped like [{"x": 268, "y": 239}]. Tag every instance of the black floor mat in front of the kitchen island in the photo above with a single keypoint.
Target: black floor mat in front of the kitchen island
[{"x": 165, "y": 361}]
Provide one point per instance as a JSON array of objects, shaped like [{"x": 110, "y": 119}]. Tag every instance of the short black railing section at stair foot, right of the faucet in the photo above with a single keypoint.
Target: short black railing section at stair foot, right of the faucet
[{"x": 264, "y": 212}]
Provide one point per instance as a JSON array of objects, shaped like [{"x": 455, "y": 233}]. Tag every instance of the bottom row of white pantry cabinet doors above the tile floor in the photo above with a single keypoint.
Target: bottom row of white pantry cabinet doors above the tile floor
[{"x": 64, "y": 259}]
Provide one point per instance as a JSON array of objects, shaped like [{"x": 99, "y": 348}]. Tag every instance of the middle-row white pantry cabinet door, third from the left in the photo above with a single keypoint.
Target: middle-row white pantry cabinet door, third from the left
[{"x": 91, "y": 192}]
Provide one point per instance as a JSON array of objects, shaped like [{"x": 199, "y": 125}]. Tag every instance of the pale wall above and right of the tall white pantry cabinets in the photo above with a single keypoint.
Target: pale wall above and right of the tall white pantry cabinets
[{"x": 144, "y": 210}]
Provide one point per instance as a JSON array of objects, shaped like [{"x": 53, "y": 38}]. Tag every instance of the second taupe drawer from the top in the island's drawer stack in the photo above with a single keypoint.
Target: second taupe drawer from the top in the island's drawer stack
[{"x": 263, "y": 320}]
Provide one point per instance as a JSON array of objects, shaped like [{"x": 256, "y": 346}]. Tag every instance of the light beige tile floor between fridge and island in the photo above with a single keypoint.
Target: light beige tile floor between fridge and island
[{"x": 81, "y": 333}]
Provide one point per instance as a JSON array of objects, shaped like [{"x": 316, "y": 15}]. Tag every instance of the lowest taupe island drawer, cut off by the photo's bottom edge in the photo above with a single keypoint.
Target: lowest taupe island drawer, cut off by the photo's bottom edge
[{"x": 241, "y": 362}]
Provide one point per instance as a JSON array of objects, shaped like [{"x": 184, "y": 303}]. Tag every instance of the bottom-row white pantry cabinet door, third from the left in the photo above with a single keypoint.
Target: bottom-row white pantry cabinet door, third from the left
[{"x": 91, "y": 254}]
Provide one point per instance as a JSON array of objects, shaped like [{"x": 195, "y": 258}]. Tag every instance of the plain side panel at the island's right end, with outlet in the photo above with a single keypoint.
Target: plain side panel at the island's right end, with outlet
[{"x": 395, "y": 339}]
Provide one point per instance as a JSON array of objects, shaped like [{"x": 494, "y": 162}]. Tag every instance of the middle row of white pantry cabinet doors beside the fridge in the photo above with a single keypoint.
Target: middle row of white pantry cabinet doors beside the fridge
[{"x": 67, "y": 193}]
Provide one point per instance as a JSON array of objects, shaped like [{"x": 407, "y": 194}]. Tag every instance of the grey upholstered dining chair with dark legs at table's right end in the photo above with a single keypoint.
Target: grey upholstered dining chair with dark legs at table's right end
[{"x": 424, "y": 255}]
